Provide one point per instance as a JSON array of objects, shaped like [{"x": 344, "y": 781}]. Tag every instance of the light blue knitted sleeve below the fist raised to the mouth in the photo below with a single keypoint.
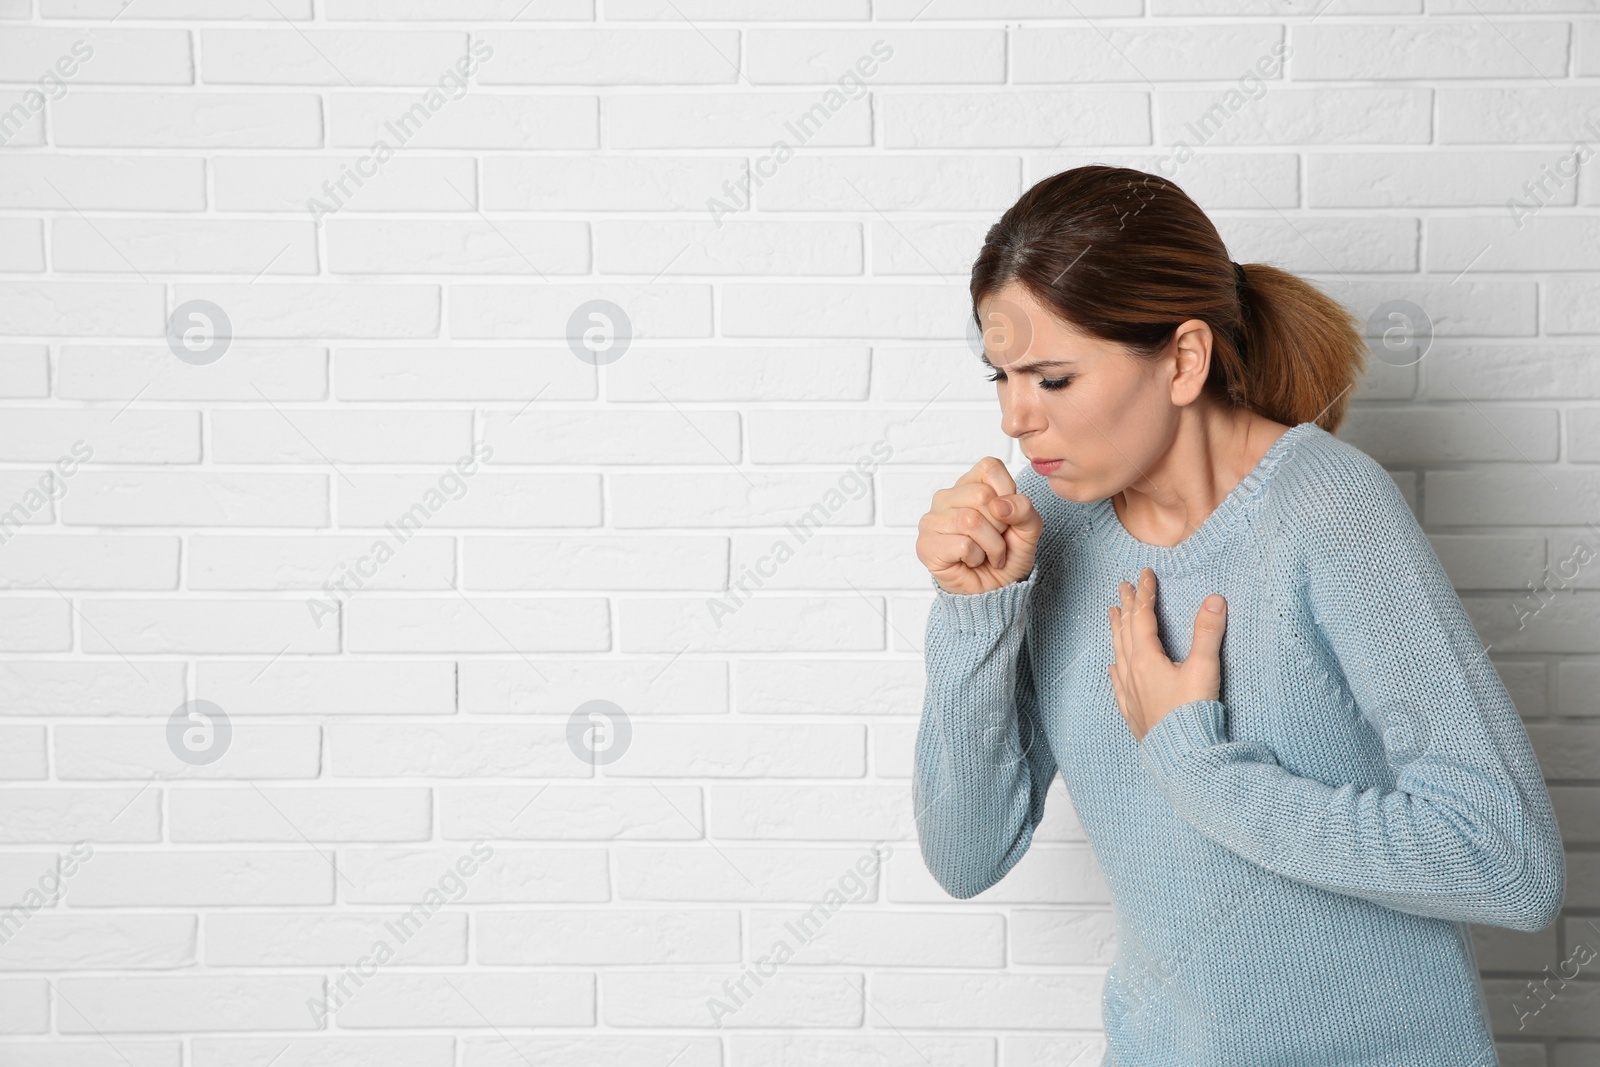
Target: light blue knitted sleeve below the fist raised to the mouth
[{"x": 982, "y": 764}]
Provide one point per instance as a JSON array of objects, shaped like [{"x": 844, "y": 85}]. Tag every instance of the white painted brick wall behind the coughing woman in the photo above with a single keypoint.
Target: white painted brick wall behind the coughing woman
[{"x": 401, "y": 860}]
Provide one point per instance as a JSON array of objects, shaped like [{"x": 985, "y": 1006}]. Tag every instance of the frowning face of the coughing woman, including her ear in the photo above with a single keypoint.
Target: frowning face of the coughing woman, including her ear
[{"x": 1081, "y": 401}]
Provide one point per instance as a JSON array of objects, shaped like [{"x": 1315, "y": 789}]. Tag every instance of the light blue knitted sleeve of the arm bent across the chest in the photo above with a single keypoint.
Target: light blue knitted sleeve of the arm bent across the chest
[{"x": 1463, "y": 829}]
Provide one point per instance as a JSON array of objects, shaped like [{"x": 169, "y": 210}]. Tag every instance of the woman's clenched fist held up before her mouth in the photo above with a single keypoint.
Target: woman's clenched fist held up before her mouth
[{"x": 982, "y": 533}]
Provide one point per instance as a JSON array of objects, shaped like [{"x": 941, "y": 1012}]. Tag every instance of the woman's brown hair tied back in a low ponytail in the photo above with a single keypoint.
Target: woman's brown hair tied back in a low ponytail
[{"x": 1127, "y": 257}]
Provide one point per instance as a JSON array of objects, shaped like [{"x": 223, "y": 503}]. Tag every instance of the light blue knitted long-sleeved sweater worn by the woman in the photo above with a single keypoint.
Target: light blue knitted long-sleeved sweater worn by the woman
[{"x": 1292, "y": 866}]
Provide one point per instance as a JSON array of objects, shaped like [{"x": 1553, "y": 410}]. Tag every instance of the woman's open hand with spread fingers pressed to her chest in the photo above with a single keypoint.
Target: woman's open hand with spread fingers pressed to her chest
[{"x": 1146, "y": 682}]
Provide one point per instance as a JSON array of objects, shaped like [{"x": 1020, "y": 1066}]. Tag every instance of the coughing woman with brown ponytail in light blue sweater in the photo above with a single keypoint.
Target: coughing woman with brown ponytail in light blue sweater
[{"x": 1286, "y": 743}]
